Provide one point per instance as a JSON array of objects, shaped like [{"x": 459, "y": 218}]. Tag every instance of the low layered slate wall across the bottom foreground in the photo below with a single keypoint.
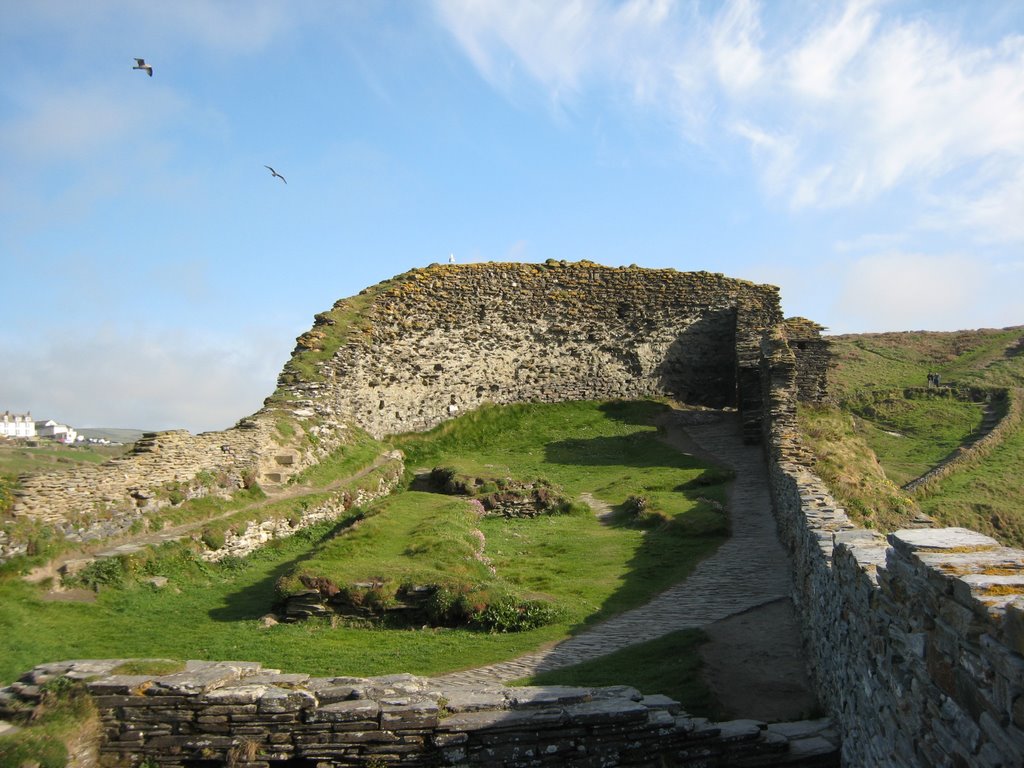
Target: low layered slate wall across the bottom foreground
[{"x": 238, "y": 714}]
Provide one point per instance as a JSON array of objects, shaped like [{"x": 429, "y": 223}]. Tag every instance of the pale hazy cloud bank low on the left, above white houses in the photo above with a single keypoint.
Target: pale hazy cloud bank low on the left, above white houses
[{"x": 144, "y": 380}]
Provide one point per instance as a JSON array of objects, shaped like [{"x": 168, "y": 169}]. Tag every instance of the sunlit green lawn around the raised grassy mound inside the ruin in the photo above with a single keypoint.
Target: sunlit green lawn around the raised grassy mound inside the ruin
[{"x": 214, "y": 612}]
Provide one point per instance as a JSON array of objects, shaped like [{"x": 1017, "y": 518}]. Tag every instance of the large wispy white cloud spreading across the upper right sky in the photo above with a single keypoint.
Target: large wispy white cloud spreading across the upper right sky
[{"x": 850, "y": 105}]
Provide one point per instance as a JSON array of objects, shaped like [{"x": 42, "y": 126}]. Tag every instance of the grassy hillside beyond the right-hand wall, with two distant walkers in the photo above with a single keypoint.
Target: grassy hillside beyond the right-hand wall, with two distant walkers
[{"x": 888, "y": 428}]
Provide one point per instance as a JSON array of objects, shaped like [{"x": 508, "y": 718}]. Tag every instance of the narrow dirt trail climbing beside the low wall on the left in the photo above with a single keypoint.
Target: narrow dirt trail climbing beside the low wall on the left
[{"x": 130, "y": 544}]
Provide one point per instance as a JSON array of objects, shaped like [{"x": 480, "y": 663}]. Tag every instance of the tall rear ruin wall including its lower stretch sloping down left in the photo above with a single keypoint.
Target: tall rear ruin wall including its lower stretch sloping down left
[{"x": 433, "y": 344}]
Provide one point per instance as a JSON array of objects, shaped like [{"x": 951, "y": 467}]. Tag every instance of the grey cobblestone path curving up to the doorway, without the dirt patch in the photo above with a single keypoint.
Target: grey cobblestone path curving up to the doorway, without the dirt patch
[{"x": 749, "y": 570}]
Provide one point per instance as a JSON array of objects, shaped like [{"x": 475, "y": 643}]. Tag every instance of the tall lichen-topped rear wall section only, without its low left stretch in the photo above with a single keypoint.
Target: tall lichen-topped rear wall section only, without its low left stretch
[{"x": 446, "y": 339}]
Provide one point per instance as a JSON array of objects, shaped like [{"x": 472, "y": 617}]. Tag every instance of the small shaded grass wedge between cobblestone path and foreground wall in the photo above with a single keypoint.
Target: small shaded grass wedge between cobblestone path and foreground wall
[{"x": 670, "y": 665}]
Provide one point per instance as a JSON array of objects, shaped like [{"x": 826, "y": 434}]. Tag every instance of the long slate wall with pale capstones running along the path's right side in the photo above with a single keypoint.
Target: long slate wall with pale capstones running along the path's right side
[{"x": 916, "y": 639}]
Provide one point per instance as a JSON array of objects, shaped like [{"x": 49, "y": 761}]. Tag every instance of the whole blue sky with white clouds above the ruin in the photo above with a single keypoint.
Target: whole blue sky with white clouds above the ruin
[{"x": 866, "y": 157}]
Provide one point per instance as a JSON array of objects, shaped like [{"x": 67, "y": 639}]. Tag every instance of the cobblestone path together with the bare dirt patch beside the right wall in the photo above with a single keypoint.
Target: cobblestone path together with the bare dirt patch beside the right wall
[{"x": 747, "y": 581}]
